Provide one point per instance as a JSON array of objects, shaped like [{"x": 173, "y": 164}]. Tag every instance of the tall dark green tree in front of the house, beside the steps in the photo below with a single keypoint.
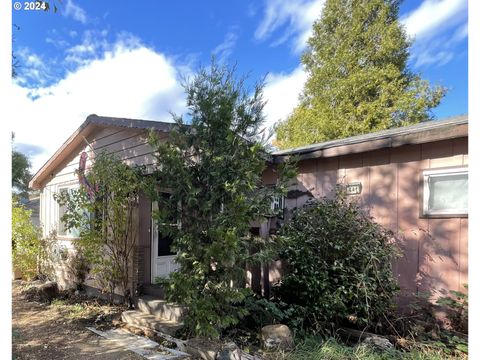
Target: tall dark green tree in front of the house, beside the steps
[{"x": 209, "y": 189}]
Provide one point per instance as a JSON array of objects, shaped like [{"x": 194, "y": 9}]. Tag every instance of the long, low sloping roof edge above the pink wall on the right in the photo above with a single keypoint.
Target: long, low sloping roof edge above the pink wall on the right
[{"x": 425, "y": 132}]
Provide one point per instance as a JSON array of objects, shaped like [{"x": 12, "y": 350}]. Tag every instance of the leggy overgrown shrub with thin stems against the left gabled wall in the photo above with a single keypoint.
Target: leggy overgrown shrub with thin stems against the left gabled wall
[{"x": 103, "y": 211}]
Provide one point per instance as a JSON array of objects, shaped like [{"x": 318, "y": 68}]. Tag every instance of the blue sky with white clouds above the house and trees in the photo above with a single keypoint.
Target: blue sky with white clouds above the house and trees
[{"x": 126, "y": 58}]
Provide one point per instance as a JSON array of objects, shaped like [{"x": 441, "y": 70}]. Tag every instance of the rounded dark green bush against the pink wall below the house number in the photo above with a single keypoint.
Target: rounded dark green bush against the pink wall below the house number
[{"x": 338, "y": 265}]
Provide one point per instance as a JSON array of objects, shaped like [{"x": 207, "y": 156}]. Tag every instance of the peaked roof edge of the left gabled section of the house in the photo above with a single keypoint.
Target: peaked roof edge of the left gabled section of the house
[{"x": 91, "y": 123}]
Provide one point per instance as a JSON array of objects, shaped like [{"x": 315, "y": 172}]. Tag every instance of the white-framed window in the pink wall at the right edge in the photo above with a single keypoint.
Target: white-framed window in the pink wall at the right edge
[{"x": 445, "y": 192}]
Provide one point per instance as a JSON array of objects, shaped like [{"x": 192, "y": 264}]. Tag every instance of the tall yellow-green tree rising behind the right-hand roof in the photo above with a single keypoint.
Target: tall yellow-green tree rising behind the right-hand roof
[{"x": 358, "y": 78}]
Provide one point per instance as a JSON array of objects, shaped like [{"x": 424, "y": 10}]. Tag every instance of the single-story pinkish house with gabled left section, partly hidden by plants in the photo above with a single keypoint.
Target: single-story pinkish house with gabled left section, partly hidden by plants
[{"x": 413, "y": 179}]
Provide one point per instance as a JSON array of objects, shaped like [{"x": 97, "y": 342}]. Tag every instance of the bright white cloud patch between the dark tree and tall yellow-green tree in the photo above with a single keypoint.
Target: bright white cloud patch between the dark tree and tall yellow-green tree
[{"x": 282, "y": 94}]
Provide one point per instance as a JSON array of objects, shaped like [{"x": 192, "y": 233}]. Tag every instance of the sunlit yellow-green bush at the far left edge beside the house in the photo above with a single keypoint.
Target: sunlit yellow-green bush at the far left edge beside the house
[{"x": 26, "y": 245}]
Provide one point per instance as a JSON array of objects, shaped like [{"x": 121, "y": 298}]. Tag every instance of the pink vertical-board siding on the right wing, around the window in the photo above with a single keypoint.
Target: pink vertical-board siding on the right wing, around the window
[{"x": 435, "y": 249}]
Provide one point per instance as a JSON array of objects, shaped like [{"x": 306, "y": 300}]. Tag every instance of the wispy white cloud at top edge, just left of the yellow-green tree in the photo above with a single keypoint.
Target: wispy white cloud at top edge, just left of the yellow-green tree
[{"x": 297, "y": 18}]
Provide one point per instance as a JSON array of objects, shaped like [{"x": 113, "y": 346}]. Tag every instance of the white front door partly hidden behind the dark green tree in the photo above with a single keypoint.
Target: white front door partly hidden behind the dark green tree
[{"x": 163, "y": 262}]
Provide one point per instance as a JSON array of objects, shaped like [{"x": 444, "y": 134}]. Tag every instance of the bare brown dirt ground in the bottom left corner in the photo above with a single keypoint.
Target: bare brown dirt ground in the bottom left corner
[{"x": 41, "y": 331}]
